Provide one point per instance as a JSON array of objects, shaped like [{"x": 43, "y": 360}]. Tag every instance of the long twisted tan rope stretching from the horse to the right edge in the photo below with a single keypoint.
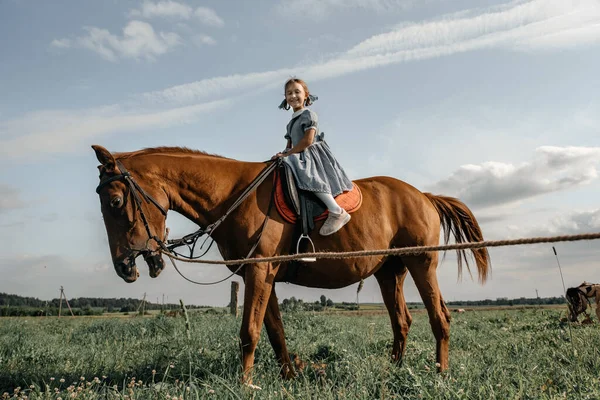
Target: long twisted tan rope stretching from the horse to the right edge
[{"x": 398, "y": 251}]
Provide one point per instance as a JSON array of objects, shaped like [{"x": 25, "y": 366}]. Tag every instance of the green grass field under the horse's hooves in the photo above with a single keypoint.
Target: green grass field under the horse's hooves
[{"x": 497, "y": 354}]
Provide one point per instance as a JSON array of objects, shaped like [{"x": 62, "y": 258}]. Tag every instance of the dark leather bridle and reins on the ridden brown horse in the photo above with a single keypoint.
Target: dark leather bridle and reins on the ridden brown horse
[{"x": 139, "y": 195}]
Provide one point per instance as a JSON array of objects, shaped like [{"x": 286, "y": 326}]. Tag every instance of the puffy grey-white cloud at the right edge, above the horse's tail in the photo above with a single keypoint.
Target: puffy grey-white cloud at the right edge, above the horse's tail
[{"x": 552, "y": 169}]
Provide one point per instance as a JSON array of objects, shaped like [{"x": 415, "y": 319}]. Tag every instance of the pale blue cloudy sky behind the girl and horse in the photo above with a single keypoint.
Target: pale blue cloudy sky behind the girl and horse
[{"x": 493, "y": 102}]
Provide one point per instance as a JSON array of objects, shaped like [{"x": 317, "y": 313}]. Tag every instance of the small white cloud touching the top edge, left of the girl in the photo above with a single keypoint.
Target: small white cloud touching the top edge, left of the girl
[{"x": 173, "y": 9}]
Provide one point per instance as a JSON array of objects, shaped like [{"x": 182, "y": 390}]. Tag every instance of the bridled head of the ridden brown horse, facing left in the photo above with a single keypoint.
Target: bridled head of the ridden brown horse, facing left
[{"x": 134, "y": 214}]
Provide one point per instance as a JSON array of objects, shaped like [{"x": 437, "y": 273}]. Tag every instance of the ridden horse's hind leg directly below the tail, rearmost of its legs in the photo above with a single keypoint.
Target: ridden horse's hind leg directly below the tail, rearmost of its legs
[{"x": 423, "y": 271}]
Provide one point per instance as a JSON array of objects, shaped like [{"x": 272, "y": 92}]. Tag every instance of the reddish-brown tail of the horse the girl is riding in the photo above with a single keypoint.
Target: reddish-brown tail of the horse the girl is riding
[{"x": 456, "y": 218}]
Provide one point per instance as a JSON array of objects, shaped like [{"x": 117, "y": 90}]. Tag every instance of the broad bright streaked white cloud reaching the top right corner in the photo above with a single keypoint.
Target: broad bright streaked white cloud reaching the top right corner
[{"x": 516, "y": 25}]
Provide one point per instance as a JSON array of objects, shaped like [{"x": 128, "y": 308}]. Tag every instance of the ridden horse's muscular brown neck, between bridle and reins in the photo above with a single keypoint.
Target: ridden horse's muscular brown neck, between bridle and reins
[{"x": 200, "y": 187}]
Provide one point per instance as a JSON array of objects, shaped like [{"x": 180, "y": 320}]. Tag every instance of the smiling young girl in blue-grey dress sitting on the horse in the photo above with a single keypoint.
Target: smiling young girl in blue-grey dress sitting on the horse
[{"x": 314, "y": 166}]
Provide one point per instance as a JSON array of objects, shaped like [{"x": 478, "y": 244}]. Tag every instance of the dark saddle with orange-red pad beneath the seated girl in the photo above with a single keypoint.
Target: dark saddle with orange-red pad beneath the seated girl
[{"x": 294, "y": 204}]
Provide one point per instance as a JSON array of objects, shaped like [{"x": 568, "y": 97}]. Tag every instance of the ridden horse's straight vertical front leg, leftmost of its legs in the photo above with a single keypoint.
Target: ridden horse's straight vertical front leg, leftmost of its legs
[{"x": 258, "y": 280}]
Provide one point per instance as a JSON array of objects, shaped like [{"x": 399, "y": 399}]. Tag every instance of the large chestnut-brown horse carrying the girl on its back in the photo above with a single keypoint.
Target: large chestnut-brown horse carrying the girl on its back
[{"x": 201, "y": 187}]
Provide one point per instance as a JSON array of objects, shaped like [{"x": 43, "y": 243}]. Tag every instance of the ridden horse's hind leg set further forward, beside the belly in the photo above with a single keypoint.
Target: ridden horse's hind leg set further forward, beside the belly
[{"x": 391, "y": 280}]
